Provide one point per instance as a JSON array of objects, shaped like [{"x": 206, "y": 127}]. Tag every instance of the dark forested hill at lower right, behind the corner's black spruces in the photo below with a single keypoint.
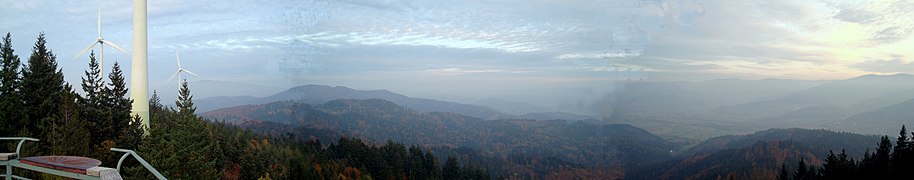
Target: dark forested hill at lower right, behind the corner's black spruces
[{"x": 758, "y": 155}]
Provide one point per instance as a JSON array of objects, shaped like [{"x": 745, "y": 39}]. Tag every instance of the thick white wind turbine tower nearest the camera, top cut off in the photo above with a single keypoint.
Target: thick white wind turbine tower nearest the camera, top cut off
[{"x": 139, "y": 77}]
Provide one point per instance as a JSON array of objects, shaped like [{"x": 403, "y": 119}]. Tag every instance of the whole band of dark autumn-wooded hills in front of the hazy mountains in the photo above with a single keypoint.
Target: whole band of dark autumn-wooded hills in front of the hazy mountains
[{"x": 540, "y": 147}]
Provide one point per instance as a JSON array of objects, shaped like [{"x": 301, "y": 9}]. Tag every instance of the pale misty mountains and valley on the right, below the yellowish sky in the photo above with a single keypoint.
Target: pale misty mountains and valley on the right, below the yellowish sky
[{"x": 698, "y": 110}]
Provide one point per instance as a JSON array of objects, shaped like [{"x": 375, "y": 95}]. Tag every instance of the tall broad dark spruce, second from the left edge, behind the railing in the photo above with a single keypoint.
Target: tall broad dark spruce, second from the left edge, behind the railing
[{"x": 42, "y": 87}]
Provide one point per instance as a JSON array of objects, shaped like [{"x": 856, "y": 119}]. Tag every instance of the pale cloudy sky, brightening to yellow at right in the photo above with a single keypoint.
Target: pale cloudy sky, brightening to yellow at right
[{"x": 478, "y": 48}]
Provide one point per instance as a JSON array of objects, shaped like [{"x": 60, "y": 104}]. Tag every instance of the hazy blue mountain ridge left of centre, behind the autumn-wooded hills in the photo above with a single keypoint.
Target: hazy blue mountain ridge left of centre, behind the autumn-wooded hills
[{"x": 316, "y": 94}]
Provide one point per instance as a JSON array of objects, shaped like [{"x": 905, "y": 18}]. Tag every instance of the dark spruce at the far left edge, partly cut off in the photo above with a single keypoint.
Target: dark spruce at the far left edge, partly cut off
[{"x": 10, "y": 100}]
